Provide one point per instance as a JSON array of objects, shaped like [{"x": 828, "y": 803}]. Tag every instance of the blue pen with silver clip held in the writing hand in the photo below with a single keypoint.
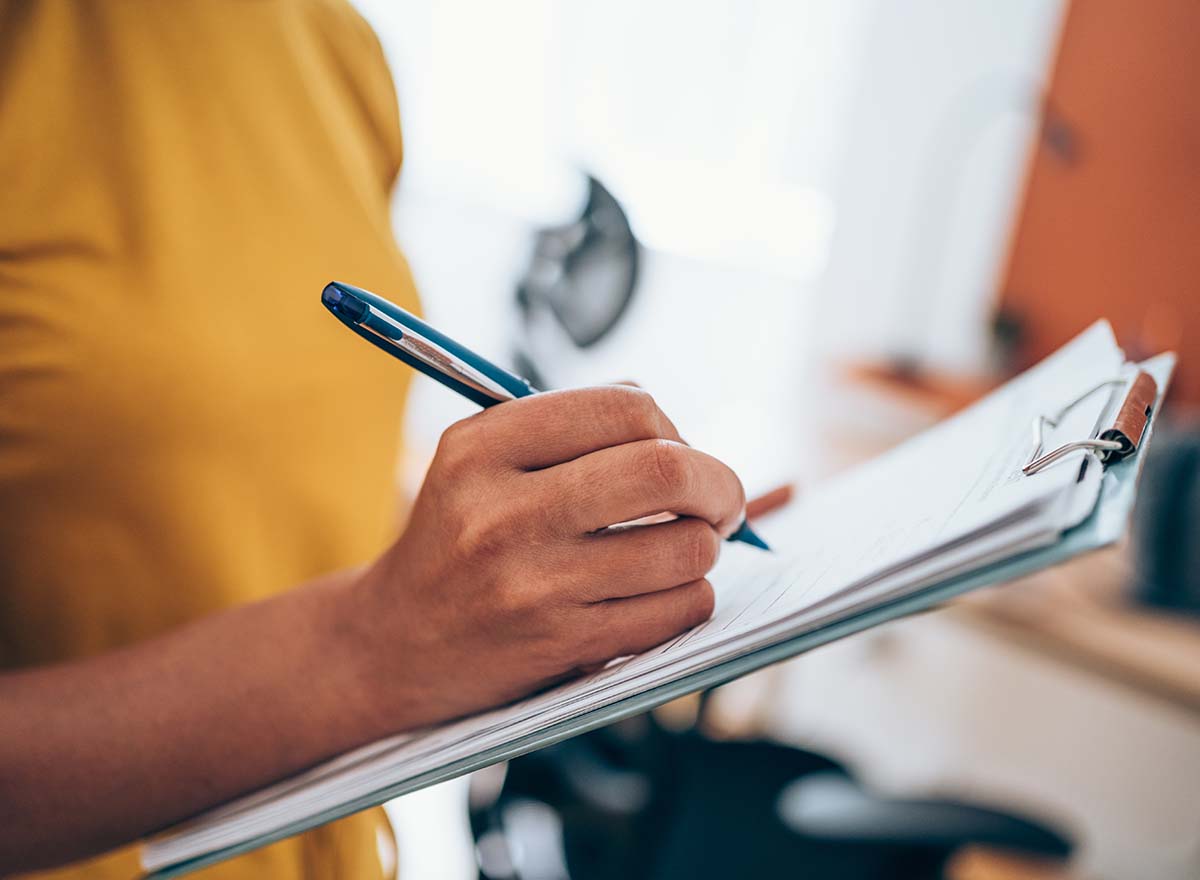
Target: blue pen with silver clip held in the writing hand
[{"x": 406, "y": 337}]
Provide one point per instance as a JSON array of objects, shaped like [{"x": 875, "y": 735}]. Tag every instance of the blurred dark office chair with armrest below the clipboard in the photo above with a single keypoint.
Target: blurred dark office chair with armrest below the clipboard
[{"x": 643, "y": 804}]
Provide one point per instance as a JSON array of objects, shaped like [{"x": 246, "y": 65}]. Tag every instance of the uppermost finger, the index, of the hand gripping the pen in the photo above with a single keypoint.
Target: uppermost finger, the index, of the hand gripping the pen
[{"x": 553, "y": 428}]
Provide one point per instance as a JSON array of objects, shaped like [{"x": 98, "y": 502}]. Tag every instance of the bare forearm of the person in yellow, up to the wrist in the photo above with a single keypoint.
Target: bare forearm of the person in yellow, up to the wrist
[{"x": 101, "y": 752}]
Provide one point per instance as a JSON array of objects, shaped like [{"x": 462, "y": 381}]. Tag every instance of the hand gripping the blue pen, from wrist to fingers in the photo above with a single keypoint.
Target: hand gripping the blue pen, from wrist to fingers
[{"x": 507, "y": 579}]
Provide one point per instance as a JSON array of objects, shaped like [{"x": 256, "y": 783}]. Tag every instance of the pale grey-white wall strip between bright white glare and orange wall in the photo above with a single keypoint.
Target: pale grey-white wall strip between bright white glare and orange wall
[{"x": 934, "y": 155}]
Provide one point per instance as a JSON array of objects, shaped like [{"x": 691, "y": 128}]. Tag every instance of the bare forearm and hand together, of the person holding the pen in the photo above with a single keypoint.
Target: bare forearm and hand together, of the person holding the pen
[{"x": 506, "y": 580}]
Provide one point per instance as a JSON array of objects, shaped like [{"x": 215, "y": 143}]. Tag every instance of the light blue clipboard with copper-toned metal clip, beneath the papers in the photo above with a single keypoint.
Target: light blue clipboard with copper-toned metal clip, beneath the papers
[{"x": 1105, "y": 526}]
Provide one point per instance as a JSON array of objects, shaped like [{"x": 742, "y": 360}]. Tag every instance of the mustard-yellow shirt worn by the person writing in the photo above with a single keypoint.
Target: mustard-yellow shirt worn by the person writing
[{"x": 183, "y": 427}]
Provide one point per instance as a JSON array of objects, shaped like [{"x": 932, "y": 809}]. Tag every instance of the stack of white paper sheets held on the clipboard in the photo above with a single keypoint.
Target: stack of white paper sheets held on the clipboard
[{"x": 950, "y": 502}]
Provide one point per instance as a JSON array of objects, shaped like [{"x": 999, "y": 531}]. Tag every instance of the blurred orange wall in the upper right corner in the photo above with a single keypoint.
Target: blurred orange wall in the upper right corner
[{"x": 1111, "y": 224}]
